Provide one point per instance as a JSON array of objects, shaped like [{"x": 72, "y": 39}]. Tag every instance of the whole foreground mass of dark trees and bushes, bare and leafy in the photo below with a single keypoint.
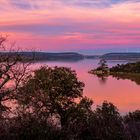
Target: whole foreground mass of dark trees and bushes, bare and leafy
[{"x": 50, "y": 105}]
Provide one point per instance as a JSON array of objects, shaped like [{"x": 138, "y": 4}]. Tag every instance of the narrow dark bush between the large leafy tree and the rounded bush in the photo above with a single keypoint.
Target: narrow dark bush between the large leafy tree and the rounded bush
[{"x": 77, "y": 126}]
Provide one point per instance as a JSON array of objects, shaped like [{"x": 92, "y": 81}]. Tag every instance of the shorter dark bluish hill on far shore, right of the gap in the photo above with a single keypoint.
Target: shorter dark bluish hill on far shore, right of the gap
[{"x": 121, "y": 56}]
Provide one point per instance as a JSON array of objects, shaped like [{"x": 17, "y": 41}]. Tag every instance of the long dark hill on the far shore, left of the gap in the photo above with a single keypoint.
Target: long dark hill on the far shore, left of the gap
[{"x": 44, "y": 56}]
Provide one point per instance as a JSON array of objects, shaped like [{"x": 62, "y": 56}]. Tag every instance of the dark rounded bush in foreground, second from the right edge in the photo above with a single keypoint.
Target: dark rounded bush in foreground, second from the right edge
[{"x": 106, "y": 123}]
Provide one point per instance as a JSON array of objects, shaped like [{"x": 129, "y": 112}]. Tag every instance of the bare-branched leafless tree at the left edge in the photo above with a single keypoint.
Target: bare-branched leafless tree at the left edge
[{"x": 12, "y": 72}]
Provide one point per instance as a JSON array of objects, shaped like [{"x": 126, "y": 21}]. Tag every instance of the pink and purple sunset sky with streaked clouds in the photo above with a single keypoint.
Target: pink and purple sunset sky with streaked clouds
[{"x": 72, "y": 25}]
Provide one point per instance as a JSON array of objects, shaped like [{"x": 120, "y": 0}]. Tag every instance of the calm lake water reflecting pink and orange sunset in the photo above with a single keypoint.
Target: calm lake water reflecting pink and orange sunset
[{"x": 125, "y": 94}]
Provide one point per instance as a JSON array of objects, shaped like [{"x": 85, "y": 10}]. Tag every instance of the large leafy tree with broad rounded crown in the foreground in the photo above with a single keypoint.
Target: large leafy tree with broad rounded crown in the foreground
[{"x": 52, "y": 92}]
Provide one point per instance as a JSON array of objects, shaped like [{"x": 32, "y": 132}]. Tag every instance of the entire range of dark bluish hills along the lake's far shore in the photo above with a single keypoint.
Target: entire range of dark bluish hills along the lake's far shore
[{"x": 72, "y": 56}]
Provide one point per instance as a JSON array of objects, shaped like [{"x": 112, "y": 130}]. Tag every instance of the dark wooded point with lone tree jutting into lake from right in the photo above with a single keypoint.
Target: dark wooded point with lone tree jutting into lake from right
[{"x": 129, "y": 71}]
